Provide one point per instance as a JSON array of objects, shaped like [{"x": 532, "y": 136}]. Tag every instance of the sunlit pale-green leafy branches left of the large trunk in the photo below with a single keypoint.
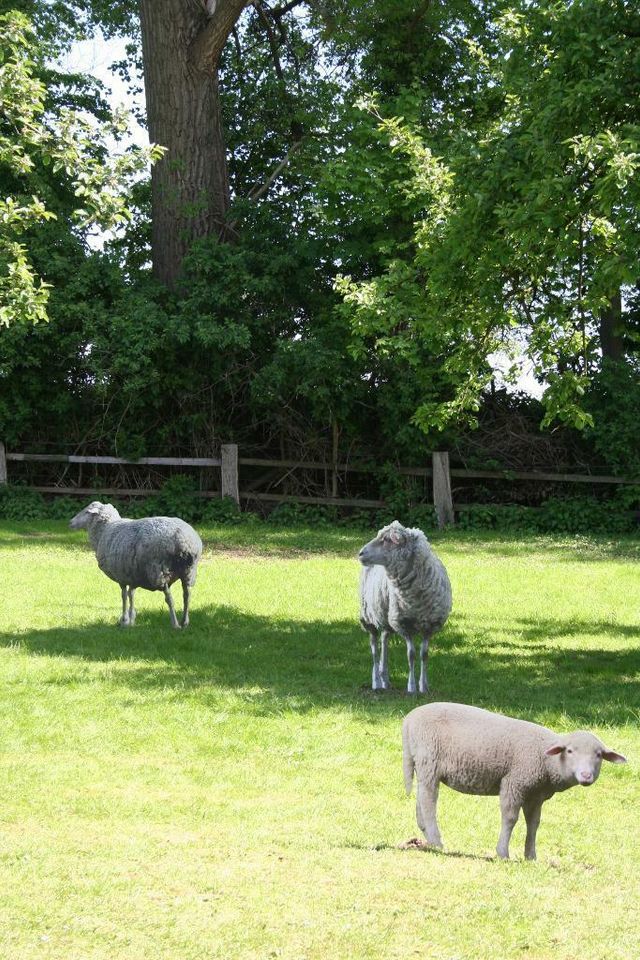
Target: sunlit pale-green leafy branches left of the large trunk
[{"x": 36, "y": 135}]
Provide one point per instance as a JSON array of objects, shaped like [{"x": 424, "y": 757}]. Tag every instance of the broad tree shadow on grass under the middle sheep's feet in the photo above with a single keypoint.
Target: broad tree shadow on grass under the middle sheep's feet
[{"x": 273, "y": 665}]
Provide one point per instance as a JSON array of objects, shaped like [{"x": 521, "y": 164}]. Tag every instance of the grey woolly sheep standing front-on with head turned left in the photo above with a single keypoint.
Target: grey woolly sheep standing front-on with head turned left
[{"x": 404, "y": 589}]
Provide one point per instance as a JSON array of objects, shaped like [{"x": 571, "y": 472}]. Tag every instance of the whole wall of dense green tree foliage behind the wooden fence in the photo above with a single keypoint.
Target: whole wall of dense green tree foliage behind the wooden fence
[{"x": 409, "y": 188}]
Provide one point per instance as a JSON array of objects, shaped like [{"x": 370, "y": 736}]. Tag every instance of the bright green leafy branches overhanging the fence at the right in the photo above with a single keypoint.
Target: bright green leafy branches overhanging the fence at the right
[{"x": 530, "y": 225}]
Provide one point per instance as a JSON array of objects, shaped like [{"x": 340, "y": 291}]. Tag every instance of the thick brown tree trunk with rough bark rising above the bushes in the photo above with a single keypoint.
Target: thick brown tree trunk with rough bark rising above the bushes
[{"x": 181, "y": 46}]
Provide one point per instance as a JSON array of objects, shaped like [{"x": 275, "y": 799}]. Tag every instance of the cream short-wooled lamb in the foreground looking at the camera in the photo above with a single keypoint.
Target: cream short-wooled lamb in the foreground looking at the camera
[{"x": 475, "y": 751}]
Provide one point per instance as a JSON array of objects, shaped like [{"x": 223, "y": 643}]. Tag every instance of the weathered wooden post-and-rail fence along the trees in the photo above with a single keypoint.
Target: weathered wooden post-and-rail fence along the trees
[{"x": 229, "y": 464}]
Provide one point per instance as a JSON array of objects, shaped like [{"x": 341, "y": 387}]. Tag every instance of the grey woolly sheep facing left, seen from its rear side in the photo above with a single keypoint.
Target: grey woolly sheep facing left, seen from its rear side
[{"x": 151, "y": 553}]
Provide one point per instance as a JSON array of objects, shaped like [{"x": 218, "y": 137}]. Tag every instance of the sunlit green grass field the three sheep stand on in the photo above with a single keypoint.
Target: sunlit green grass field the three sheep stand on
[{"x": 235, "y": 790}]
